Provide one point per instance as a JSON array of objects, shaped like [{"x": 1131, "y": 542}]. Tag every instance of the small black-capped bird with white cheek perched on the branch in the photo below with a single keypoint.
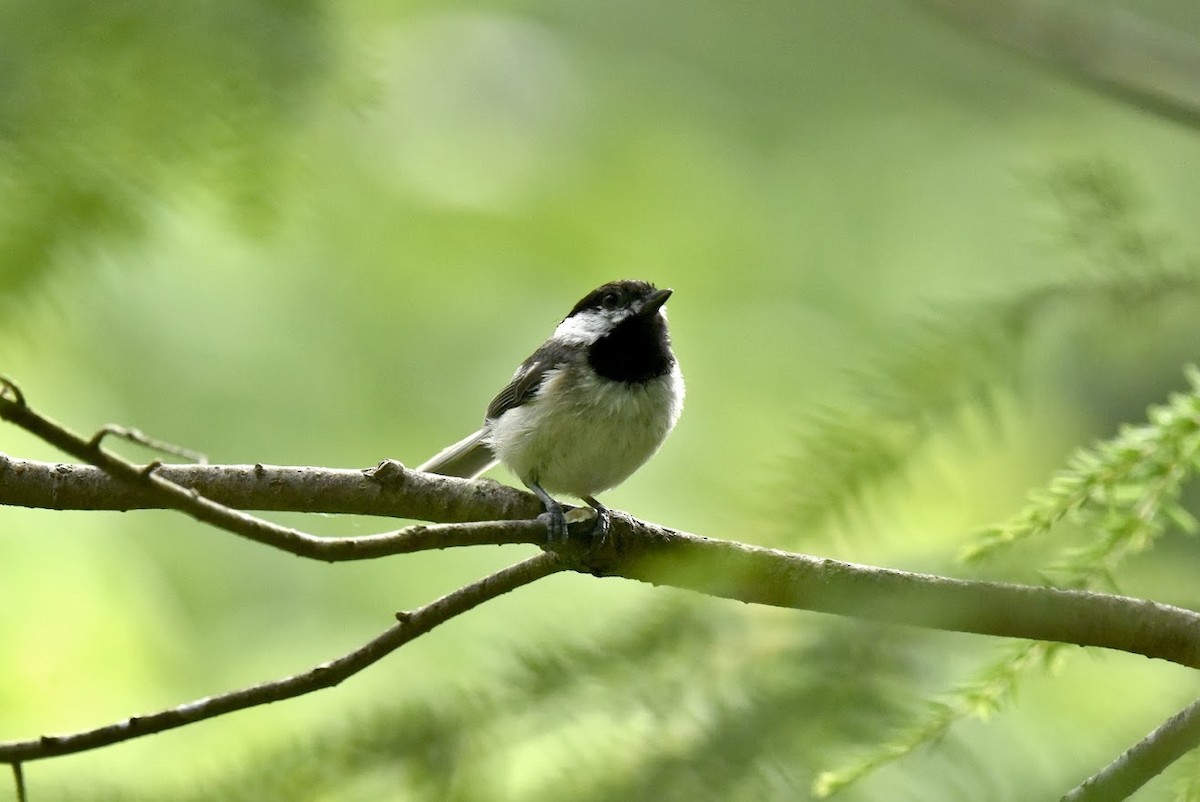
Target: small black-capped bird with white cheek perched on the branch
[{"x": 587, "y": 409}]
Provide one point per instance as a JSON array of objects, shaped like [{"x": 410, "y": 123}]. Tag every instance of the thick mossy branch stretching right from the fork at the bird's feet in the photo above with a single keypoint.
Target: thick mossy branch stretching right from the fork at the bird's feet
[{"x": 758, "y": 576}]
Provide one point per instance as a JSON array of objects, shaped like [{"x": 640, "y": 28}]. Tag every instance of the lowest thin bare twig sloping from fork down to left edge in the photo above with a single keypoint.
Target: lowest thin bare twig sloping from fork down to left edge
[{"x": 327, "y": 675}]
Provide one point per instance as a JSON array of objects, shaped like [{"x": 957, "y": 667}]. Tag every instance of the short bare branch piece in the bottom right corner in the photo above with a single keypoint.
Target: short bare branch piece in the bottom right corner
[{"x": 1144, "y": 761}]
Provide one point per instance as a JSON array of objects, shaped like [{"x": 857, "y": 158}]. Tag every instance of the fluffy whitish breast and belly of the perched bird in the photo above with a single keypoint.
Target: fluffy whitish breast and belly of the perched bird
[{"x": 583, "y": 434}]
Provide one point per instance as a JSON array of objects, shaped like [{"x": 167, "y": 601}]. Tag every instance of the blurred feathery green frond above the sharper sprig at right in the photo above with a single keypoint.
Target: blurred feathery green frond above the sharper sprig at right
[{"x": 969, "y": 352}]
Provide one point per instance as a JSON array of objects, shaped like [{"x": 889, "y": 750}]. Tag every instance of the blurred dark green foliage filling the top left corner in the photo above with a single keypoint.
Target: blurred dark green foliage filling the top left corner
[{"x": 105, "y": 107}]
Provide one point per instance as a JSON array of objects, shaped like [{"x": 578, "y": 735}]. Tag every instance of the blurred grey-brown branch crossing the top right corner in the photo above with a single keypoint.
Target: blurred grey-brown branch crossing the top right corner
[{"x": 1137, "y": 62}]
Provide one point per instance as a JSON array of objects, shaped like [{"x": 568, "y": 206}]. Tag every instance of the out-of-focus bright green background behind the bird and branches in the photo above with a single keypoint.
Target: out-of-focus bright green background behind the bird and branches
[{"x": 325, "y": 234}]
